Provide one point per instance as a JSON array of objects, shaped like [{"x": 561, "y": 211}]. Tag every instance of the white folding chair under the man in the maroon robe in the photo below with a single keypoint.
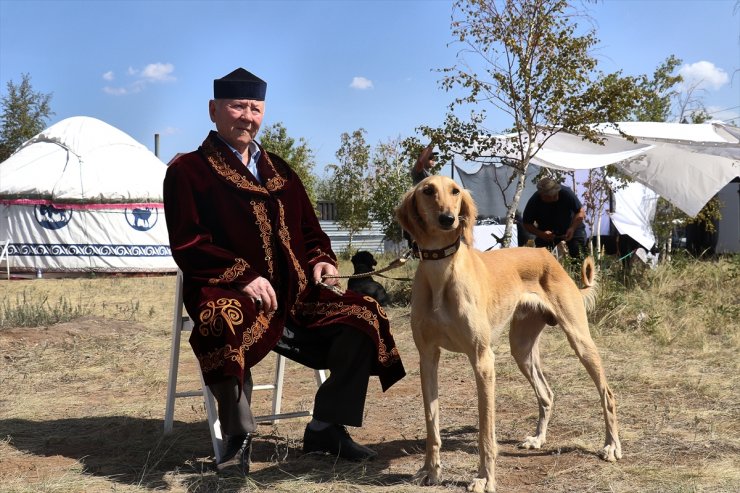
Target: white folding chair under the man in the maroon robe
[{"x": 181, "y": 322}]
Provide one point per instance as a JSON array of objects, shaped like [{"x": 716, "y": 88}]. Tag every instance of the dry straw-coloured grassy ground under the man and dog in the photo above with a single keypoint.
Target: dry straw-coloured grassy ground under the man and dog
[{"x": 83, "y": 403}]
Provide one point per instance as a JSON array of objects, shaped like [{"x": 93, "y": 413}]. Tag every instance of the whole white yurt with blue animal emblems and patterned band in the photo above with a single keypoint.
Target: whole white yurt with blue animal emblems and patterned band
[{"x": 84, "y": 196}]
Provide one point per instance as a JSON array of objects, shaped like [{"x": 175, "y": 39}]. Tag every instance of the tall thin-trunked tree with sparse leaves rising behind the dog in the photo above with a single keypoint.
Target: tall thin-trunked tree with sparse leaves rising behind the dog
[{"x": 529, "y": 63}]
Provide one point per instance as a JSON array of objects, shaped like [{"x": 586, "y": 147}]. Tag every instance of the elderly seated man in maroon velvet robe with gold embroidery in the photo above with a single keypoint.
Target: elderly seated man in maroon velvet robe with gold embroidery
[{"x": 254, "y": 261}]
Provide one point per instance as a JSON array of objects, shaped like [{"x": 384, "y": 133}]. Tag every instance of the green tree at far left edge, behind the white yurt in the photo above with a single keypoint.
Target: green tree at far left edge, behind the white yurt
[{"x": 24, "y": 114}]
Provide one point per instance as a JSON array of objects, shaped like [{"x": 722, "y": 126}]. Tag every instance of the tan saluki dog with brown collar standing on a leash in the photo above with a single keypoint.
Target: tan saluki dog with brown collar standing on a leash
[{"x": 463, "y": 298}]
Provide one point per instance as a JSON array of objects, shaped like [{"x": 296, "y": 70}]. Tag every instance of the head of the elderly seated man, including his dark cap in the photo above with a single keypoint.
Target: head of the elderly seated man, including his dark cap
[{"x": 237, "y": 107}]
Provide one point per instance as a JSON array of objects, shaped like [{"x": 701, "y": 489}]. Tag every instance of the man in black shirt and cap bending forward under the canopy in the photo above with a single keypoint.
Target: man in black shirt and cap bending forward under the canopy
[{"x": 555, "y": 214}]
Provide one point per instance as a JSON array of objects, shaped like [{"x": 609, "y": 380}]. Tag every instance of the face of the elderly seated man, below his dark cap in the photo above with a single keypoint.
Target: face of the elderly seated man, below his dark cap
[{"x": 237, "y": 120}]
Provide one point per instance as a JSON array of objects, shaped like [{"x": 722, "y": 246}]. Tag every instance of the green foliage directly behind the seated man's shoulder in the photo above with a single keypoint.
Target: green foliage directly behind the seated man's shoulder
[{"x": 300, "y": 156}]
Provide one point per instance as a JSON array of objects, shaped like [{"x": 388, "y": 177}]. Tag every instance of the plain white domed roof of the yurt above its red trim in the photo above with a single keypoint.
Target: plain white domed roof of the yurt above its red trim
[{"x": 82, "y": 160}]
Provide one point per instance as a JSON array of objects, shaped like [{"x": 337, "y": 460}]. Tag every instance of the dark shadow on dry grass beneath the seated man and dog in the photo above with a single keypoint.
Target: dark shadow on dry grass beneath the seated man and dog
[{"x": 135, "y": 451}]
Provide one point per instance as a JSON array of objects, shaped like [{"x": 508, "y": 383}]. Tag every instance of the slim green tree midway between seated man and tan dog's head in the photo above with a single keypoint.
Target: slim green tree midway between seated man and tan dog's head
[{"x": 351, "y": 182}]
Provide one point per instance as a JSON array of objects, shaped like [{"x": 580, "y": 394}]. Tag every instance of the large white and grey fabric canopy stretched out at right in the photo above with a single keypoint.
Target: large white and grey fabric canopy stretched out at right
[{"x": 687, "y": 164}]
